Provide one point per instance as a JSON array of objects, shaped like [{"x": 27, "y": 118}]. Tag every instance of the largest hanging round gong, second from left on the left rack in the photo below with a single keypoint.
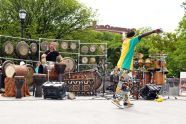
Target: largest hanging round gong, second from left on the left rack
[{"x": 22, "y": 49}]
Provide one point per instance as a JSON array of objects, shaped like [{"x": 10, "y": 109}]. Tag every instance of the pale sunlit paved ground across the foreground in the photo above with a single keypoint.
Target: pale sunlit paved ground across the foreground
[{"x": 85, "y": 110}]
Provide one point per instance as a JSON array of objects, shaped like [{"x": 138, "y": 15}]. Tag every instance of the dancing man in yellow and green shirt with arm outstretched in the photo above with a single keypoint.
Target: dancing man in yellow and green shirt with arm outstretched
[{"x": 125, "y": 63}]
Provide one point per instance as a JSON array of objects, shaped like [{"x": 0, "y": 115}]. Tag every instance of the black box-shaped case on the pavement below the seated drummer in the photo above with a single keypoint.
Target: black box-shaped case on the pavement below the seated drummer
[{"x": 54, "y": 90}]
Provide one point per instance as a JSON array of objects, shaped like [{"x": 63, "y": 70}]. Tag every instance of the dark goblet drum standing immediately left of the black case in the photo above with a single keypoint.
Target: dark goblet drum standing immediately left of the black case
[{"x": 38, "y": 79}]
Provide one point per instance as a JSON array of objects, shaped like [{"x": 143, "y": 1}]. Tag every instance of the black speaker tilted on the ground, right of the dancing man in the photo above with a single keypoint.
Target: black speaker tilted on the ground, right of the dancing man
[{"x": 149, "y": 91}]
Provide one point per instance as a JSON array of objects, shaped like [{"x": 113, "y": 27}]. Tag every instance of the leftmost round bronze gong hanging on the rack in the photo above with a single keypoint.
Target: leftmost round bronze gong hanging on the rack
[{"x": 8, "y": 48}]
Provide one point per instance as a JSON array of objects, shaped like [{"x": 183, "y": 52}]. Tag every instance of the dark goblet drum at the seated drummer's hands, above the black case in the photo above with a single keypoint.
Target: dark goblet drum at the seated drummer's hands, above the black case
[{"x": 60, "y": 68}]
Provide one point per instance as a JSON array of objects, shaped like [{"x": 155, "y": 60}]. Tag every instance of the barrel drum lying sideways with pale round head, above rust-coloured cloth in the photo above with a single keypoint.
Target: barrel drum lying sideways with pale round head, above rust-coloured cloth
[{"x": 16, "y": 70}]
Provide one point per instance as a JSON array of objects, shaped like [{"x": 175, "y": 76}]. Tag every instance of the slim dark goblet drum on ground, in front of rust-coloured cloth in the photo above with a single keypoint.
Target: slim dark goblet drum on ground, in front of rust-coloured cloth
[{"x": 19, "y": 80}]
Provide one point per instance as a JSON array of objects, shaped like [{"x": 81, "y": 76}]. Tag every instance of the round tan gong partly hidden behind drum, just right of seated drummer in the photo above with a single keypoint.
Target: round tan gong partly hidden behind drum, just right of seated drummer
[{"x": 70, "y": 64}]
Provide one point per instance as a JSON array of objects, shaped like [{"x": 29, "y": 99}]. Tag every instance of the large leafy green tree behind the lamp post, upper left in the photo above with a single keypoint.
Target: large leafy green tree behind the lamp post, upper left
[{"x": 45, "y": 18}]
